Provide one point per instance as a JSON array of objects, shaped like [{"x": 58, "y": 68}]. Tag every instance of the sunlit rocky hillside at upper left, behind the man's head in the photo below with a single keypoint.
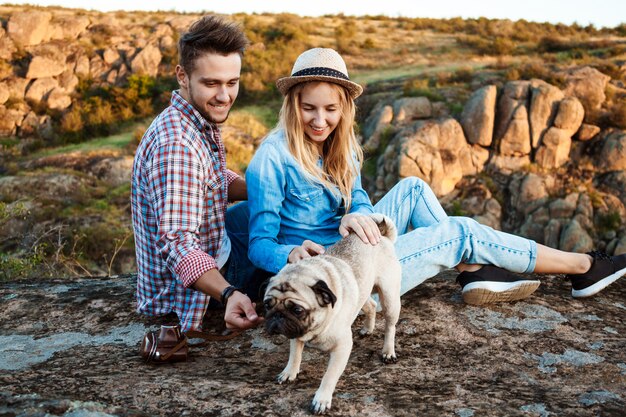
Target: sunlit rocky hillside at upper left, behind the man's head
[{"x": 45, "y": 53}]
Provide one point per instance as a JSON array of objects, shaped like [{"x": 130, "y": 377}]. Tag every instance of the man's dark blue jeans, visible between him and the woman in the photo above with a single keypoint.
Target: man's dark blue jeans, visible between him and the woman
[{"x": 240, "y": 272}]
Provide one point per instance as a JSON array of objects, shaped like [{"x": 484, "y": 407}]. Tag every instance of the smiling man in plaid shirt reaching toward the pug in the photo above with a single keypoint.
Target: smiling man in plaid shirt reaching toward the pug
[{"x": 188, "y": 247}]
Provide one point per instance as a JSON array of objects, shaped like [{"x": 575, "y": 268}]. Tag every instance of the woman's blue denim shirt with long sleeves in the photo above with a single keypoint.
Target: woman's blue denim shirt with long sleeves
[{"x": 288, "y": 207}]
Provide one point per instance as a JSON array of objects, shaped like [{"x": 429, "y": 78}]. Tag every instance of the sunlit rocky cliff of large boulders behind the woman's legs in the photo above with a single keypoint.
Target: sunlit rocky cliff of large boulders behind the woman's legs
[{"x": 520, "y": 158}]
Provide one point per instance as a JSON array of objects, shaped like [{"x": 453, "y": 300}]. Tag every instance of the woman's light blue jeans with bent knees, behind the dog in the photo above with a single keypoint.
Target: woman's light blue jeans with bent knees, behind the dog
[{"x": 430, "y": 241}]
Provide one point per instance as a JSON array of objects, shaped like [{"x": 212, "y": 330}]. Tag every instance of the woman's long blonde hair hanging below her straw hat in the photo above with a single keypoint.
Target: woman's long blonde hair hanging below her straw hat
[{"x": 342, "y": 154}]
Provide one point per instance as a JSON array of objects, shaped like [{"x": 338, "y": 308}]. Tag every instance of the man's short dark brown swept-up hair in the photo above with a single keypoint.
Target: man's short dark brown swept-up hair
[{"x": 210, "y": 34}]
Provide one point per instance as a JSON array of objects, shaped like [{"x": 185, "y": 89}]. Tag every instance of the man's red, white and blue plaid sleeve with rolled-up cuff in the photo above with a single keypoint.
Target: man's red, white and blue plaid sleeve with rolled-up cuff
[{"x": 177, "y": 183}]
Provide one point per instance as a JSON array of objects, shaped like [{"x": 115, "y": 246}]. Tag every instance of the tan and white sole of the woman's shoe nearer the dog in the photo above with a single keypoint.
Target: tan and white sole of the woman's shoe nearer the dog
[{"x": 481, "y": 293}]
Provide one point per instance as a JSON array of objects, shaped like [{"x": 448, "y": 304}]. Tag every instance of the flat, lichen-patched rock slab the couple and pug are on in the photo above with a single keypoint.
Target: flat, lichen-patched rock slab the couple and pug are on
[{"x": 70, "y": 348}]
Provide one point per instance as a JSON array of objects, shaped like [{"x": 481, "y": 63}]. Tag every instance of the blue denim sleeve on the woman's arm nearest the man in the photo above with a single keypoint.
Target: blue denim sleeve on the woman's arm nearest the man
[{"x": 265, "y": 179}]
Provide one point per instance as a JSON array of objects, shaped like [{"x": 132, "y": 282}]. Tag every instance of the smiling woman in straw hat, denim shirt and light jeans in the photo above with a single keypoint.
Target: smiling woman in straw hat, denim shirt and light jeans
[{"x": 305, "y": 193}]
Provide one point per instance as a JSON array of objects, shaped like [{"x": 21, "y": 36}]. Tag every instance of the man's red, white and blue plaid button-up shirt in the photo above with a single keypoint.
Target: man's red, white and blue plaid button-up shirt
[{"x": 179, "y": 198}]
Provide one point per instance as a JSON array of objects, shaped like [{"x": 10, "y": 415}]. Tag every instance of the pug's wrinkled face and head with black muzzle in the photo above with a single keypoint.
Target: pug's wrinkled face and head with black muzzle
[{"x": 296, "y": 301}]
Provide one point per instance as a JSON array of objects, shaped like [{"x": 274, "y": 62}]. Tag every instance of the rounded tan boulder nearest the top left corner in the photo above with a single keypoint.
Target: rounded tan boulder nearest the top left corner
[{"x": 30, "y": 27}]
